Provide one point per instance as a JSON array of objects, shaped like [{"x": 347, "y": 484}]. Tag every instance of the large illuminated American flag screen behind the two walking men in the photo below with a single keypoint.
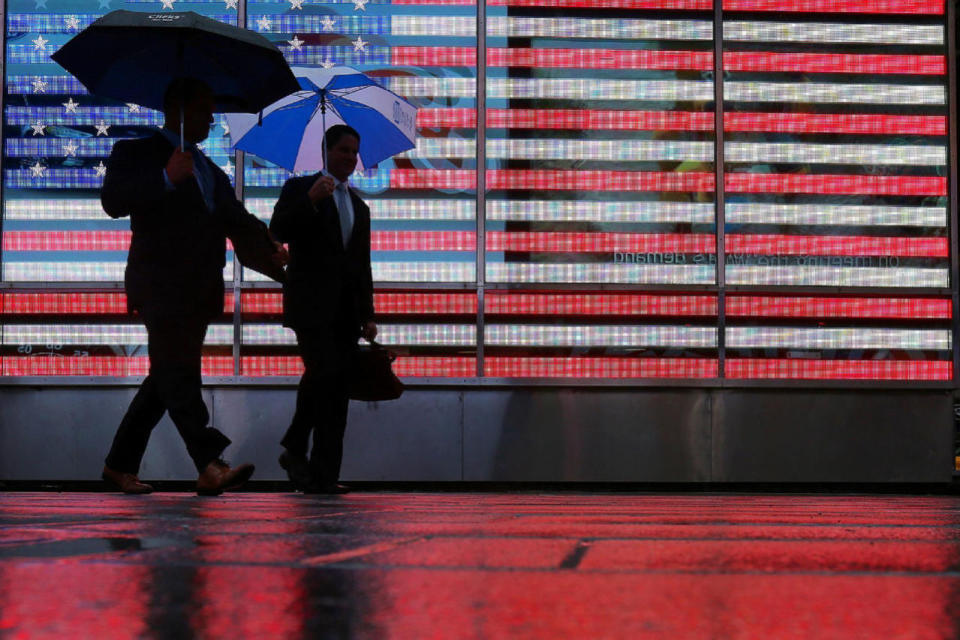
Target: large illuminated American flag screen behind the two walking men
[{"x": 597, "y": 230}]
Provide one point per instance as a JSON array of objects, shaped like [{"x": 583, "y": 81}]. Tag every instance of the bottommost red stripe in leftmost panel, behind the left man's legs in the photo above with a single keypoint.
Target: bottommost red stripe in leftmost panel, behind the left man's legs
[{"x": 116, "y": 366}]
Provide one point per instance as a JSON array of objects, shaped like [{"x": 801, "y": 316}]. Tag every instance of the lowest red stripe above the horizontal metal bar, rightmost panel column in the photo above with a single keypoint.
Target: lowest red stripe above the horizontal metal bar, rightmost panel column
[{"x": 771, "y": 244}]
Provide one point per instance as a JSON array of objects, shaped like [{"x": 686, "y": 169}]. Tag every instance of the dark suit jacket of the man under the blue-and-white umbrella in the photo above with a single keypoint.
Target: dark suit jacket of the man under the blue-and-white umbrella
[{"x": 326, "y": 283}]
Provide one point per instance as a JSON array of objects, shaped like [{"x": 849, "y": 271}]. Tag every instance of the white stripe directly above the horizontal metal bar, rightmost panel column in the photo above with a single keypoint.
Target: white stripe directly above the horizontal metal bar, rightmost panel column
[{"x": 797, "y": 275}]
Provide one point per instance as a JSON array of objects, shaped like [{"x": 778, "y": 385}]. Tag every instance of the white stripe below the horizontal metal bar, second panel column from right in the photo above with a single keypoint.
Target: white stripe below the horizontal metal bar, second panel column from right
[{"x": 599, "y": 336}]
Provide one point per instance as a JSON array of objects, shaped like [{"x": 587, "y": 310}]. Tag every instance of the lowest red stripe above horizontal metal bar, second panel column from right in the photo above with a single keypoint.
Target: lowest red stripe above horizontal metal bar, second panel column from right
[{"x": 602, "y": 242}]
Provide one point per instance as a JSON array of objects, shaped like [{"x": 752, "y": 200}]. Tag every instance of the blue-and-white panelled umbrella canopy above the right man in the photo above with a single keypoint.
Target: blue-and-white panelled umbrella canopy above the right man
[{"x": 292, "y": 128}]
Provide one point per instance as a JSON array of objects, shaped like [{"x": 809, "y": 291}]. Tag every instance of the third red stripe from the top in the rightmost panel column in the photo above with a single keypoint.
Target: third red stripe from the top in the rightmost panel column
[{"x": 868, "y": 124}]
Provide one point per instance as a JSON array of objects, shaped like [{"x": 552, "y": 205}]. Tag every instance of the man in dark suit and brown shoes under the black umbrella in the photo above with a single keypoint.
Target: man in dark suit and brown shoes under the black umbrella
[{"x": 181, "y": 209}]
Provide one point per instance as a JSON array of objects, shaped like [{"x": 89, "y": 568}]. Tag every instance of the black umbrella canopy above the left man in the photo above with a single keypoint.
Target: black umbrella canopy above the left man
[{"x": 132, "y": 56}]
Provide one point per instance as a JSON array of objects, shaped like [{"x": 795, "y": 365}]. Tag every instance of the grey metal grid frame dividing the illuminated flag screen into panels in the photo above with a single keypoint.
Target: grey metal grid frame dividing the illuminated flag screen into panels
[{"x": 480, "y": 285}]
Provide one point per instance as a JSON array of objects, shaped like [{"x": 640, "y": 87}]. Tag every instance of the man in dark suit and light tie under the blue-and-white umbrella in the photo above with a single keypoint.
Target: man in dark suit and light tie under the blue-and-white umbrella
[{"x": 328, "y": 302}]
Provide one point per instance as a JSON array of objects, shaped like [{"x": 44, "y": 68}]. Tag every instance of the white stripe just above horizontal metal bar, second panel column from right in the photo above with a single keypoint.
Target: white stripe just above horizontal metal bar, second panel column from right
[{"x": 601, "y": 273}]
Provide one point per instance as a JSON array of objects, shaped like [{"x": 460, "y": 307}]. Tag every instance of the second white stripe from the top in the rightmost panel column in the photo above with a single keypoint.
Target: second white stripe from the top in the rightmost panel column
[{"x": 826, "y": 93}]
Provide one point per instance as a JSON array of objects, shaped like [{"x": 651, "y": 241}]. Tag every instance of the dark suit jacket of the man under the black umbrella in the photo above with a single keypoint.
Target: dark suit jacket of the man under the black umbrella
[{"x": 177, "y": 252}]
